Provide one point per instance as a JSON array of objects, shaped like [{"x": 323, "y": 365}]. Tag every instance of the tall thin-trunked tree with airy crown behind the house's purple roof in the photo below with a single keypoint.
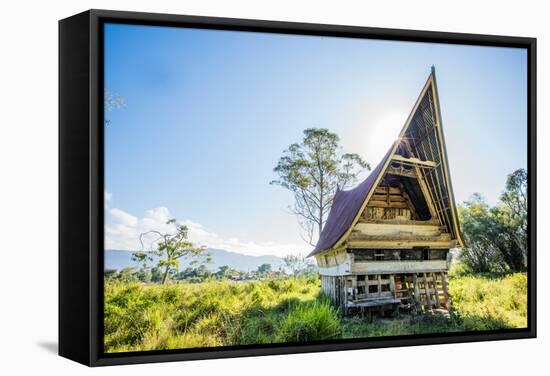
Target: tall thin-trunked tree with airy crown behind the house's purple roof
[{"x": 313, "y": 170}]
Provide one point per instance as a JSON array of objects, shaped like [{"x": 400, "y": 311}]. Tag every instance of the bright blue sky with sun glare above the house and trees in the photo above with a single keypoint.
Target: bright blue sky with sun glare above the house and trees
[{"x": 208, "y": 114}]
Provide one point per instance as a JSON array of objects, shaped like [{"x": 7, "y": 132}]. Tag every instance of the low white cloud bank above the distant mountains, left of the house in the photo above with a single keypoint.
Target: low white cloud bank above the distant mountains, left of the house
[{"x": 124, "y": 229}]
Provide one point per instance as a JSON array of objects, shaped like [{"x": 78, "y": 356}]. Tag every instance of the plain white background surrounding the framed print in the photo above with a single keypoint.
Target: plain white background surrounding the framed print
[{"x": 28, "y": 185}]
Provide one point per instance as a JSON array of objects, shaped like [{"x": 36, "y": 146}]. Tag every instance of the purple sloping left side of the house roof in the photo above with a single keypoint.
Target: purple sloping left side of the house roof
[{"x": 345, "y": 206}]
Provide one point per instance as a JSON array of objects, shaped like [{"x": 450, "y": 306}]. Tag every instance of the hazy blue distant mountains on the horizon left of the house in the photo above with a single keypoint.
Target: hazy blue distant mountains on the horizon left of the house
[{"x": 115, "y": 259}]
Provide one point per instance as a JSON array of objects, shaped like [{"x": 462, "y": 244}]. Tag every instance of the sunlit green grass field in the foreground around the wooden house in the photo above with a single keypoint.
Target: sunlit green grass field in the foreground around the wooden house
[{"x": 153, "y": 317}]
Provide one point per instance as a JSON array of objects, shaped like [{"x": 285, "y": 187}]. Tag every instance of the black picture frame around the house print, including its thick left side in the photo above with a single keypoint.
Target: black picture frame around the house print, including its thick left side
[{"x": 81, "y": 184}]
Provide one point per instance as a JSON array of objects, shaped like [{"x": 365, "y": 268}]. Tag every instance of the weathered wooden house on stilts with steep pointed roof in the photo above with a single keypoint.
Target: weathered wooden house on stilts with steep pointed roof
[{"x": 386, "y": 242}]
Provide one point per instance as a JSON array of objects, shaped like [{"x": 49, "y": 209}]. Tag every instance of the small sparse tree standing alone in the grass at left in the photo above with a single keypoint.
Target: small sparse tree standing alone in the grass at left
[{"x": 170, "y": 248}]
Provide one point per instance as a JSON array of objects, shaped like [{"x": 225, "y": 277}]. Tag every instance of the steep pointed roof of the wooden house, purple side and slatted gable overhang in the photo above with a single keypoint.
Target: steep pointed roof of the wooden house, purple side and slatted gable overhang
[{"x": 421, "y": 137}]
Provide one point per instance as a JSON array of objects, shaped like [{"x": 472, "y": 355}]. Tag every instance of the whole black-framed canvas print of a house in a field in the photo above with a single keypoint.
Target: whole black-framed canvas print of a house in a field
[{"x": 238, "y": 187}]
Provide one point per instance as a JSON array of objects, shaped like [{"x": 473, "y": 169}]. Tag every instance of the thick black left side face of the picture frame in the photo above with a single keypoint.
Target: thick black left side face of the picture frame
[{"x": 74, "y": 246}]
